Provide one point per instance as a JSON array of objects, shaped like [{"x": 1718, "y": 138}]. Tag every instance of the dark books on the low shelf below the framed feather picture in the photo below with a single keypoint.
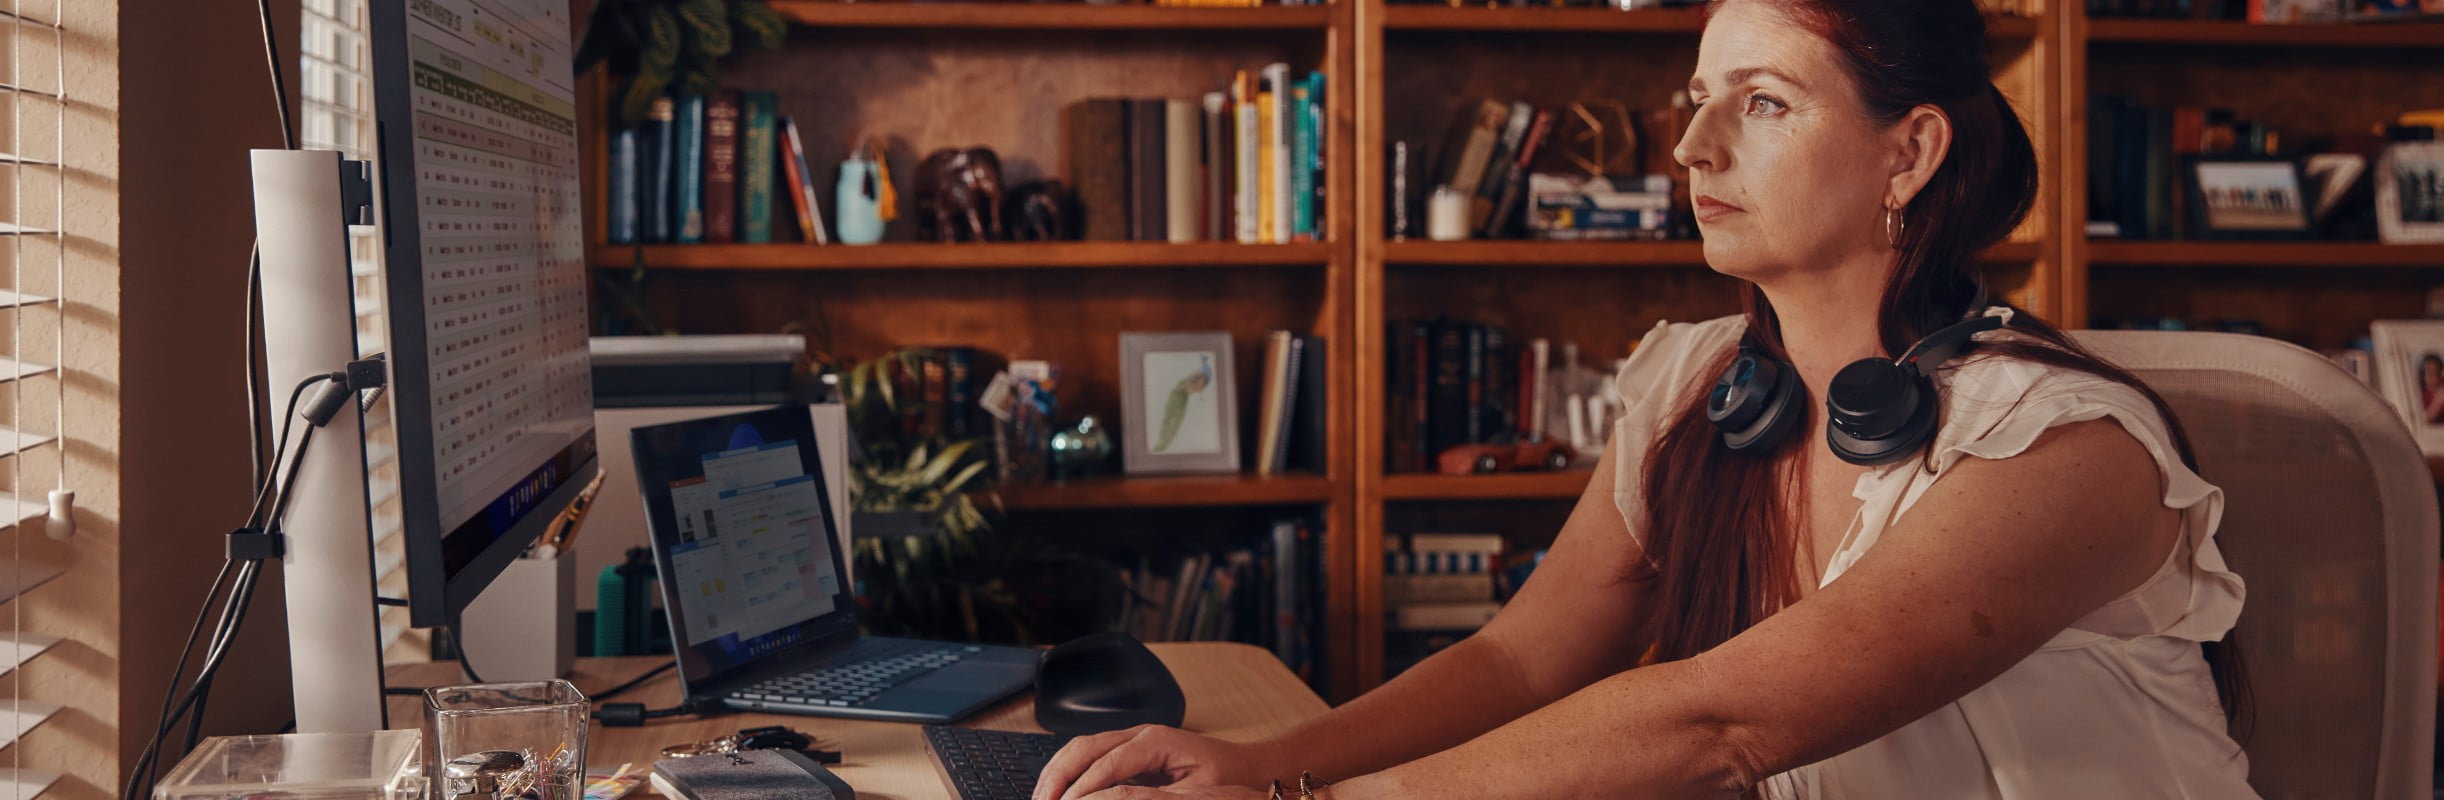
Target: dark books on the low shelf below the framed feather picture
[{"x": 1270, "y": 596}]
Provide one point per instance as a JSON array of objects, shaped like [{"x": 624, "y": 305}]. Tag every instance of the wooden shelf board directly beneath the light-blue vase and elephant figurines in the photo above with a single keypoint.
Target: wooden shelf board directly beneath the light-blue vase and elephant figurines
[{"x": 996, "y": 256}]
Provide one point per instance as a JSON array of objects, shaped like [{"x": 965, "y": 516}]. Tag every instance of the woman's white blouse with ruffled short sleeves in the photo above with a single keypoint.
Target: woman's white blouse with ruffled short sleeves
[{"x": 2118, "y": 706}]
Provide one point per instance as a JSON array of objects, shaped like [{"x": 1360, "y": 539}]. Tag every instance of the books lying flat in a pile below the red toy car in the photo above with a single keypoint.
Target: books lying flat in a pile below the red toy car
[{"x": 1438, "y": 588}]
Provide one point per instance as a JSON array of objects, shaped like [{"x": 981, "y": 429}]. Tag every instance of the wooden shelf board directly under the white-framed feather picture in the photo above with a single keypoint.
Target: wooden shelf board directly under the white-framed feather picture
[{"x": 1169, "y": 493}]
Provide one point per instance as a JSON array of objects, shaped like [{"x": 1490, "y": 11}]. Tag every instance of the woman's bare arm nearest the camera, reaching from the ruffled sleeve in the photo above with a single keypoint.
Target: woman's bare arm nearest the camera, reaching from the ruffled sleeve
[{"x": 1988, "y": 566}]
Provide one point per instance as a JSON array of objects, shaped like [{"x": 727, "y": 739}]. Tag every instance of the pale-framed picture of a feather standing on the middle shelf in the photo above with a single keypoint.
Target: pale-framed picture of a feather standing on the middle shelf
[{"x": 1179, "y": 405}]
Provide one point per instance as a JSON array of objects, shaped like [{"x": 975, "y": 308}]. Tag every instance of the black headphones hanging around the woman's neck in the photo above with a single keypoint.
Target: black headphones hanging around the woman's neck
[{"x": 1876, "y": 412}]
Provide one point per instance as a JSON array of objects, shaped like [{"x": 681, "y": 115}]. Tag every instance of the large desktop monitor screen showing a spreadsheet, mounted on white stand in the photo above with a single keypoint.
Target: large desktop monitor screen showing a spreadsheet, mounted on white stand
[{"x": 488, "y": 283}]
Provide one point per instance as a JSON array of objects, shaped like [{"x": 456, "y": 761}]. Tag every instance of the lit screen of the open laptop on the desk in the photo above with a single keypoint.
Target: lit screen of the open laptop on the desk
[{"x": 742, "y": 535}]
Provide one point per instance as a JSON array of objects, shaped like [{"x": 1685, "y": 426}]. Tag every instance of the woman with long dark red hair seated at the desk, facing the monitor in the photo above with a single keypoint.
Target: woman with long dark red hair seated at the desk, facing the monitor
[{"x": 2015, "y": 610}]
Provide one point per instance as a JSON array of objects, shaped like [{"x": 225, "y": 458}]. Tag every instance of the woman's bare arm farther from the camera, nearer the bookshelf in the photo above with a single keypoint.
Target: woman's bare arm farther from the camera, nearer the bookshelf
[{"x": 1582, "y": 618}]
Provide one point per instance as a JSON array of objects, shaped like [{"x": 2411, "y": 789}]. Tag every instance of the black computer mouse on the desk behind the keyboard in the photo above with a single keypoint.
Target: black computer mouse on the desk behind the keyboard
[{"x": 1103, "y": 684}]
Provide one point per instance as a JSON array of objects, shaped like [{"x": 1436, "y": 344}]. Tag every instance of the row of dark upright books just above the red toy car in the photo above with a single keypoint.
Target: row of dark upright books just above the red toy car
[{"x": 1458, "y": 383}]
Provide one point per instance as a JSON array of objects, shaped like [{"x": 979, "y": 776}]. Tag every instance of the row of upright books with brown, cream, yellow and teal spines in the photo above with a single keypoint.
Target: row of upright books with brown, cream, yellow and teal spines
[{"x": 1240, "y": 165}]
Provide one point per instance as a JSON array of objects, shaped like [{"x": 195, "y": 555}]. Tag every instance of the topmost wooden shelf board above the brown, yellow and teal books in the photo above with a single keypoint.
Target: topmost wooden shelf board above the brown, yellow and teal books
[{"x": 1050, "y": 16}]
